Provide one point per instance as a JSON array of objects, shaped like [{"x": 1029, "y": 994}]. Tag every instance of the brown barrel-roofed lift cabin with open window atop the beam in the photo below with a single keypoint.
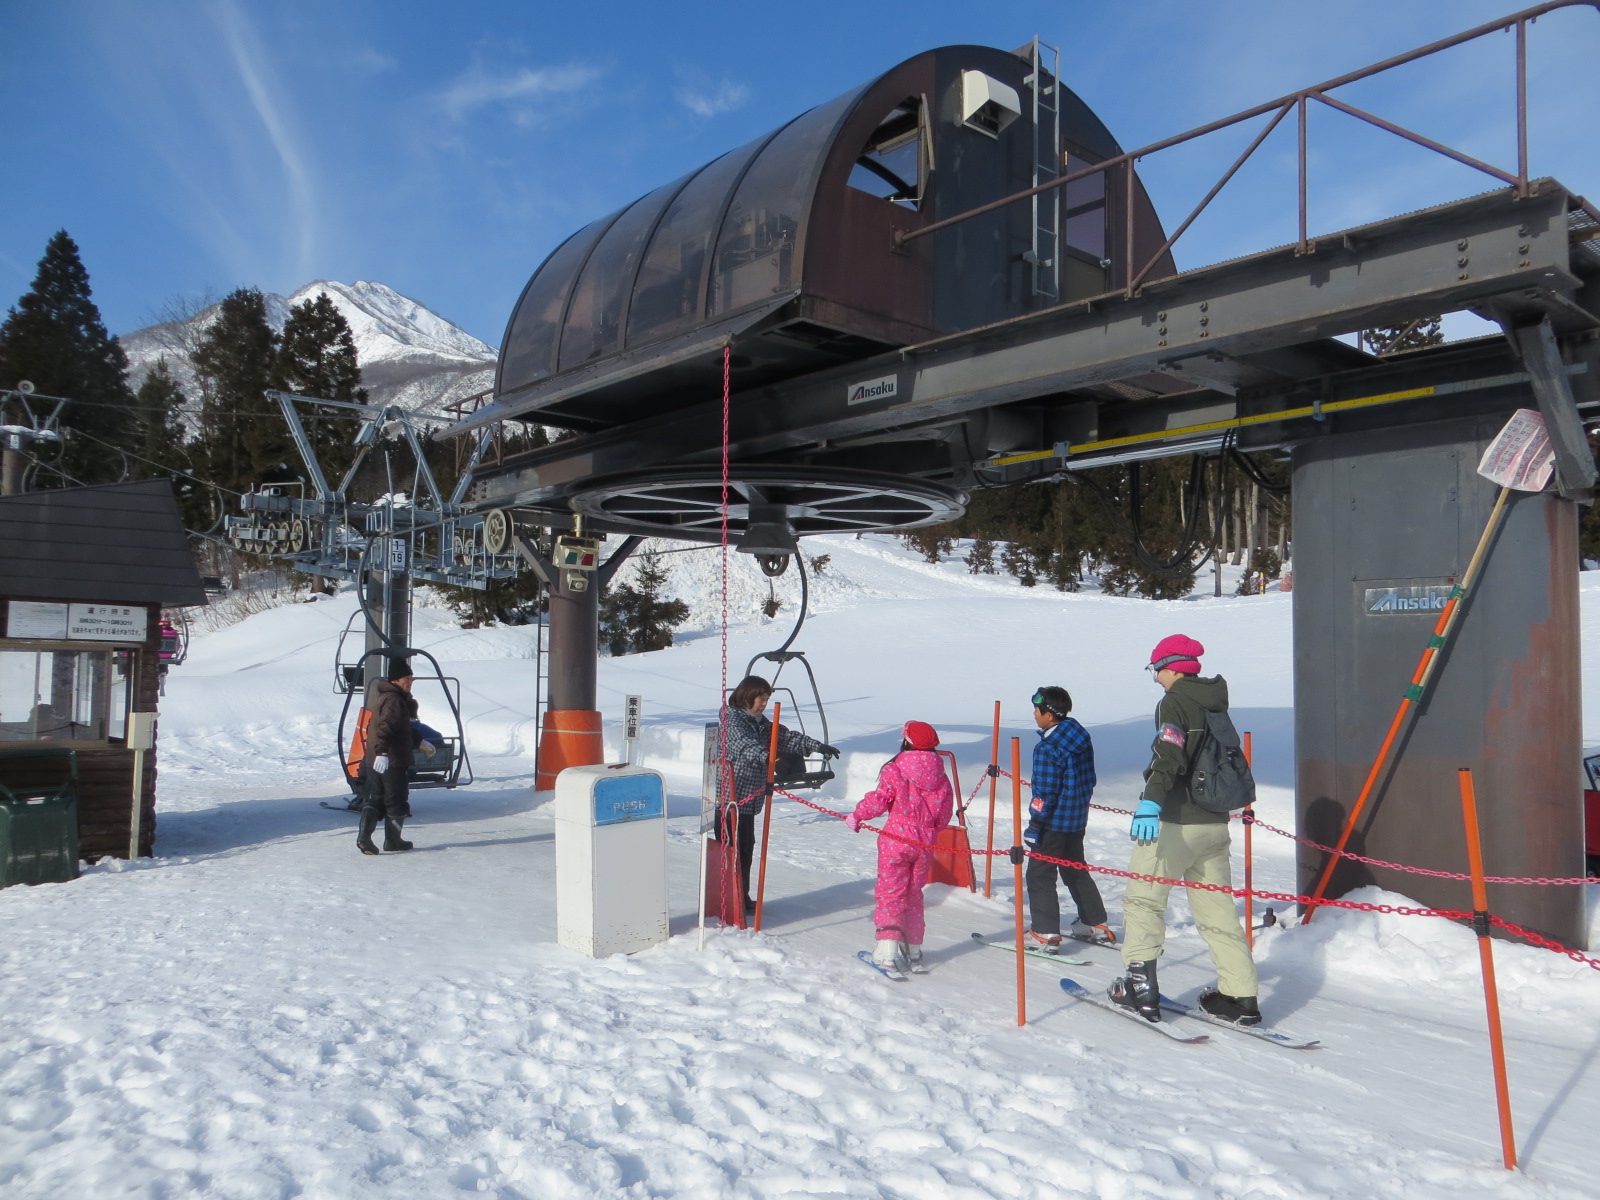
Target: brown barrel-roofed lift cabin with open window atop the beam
[{"x": 786, "y": 246}]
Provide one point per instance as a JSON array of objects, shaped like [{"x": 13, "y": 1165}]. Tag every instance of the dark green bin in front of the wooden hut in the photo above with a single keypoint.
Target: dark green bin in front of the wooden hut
[{"x": 39, "y": 817}]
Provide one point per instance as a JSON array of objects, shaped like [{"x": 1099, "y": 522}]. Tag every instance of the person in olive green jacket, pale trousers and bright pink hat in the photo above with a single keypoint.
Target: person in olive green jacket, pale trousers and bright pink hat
[{"x": 1177, "y": 839}]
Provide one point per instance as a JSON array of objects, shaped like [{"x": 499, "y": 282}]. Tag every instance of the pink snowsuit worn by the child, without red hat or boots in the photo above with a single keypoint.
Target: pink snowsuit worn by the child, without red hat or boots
[{"x": 916, "y": 793}]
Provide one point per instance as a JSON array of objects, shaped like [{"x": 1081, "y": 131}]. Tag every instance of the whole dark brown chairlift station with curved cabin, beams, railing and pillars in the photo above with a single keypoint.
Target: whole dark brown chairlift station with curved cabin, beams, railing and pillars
[{"x": 951, "y": 279}]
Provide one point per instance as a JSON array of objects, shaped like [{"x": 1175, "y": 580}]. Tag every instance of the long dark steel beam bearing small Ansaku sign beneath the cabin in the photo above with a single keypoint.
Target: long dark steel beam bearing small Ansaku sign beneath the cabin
[{"x": 1487, "y": 250}]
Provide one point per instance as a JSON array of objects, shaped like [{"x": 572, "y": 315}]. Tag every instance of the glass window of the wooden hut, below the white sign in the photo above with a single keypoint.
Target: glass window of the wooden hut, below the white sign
[{"x": 63, "y": 695}]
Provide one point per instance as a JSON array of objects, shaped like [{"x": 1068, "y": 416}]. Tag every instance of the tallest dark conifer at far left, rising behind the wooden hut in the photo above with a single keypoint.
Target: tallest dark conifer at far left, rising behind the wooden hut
[{"x": 55, "y": 340}]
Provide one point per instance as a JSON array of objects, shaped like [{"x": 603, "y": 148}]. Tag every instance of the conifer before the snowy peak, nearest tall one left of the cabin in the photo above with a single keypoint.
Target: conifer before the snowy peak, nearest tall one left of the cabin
[{"x": 318, "y": 358}]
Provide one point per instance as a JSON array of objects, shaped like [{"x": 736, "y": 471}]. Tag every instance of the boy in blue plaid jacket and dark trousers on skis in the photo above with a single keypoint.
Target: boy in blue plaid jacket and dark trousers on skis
[{"x": 1063, "y": 783}]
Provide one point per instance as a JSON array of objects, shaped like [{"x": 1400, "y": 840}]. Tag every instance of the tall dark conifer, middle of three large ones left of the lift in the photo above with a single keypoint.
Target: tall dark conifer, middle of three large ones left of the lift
[{"x": 242, "y": 436}]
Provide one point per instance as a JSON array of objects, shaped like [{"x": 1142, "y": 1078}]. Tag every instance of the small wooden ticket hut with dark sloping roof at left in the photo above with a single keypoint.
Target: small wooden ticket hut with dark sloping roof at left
[{"x": 84, "y": 578}]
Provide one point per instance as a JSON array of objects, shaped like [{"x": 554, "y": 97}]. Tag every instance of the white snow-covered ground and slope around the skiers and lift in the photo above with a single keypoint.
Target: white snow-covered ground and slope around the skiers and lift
[{"x": 262, "y": 1012}]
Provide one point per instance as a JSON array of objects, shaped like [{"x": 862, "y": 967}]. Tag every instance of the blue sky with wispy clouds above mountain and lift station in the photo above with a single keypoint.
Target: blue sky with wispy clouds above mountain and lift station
[{"x": 193, "y": 146}]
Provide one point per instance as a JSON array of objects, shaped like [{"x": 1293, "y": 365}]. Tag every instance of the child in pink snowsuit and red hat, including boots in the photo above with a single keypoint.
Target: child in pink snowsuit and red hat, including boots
[{"x": 916, "y": 793}]
